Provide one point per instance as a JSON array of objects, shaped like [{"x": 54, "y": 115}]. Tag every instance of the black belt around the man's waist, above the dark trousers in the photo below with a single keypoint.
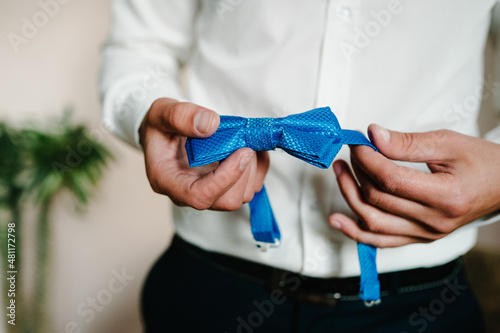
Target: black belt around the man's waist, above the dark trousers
[{"x": 319, "y": 291}]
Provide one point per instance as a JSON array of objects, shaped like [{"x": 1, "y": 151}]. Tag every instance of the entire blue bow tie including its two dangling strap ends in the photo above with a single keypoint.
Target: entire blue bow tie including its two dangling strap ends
[{"x": 315, "y": 137}]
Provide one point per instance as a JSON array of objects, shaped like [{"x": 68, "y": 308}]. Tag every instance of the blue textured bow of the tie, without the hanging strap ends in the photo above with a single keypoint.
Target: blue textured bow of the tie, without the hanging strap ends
[{"x": 314, "y": 136}]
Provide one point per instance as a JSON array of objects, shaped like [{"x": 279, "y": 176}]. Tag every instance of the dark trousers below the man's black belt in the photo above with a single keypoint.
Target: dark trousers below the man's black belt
[{"x": 185, "y": 294}]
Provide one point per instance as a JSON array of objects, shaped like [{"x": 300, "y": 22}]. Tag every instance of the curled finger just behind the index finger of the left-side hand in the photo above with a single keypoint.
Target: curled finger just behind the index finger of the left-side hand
[{"x": 235, "y": 196}]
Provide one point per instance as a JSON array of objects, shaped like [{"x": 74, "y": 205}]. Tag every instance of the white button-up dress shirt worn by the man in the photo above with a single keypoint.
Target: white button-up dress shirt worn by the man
[{"x": 406, "y": 65}]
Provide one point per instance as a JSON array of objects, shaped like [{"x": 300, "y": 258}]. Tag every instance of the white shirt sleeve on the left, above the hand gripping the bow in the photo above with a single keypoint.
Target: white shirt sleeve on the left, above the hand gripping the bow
[{"x": 148, "y": 43}]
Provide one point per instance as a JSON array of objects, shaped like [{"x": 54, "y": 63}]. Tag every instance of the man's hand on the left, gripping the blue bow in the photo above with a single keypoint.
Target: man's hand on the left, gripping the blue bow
[{"x": 219, "y": 186}]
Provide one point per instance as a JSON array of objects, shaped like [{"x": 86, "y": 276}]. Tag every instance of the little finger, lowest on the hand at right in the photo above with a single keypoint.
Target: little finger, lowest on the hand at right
[{"x": 352, "y": 230}]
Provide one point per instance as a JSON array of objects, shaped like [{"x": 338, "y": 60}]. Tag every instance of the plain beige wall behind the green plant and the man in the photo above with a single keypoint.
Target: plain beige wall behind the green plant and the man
[{"x": 127, "y": 225}]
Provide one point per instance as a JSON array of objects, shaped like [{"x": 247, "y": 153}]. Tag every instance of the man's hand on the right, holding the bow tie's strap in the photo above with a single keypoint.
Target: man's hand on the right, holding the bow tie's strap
[{"x": 398, "y": 205}]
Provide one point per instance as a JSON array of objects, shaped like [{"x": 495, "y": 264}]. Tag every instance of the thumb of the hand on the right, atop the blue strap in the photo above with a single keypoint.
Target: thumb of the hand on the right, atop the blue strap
[{"x": 414, "y": 147}]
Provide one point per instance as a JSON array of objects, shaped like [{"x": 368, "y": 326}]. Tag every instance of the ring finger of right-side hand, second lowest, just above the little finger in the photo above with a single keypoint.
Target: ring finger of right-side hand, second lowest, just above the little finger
[{"x": 374, "y": 219}]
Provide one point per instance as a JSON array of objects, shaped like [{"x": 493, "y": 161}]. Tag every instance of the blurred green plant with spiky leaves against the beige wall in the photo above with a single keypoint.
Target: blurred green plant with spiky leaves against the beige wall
[{"x": 42, "y": 164}]
